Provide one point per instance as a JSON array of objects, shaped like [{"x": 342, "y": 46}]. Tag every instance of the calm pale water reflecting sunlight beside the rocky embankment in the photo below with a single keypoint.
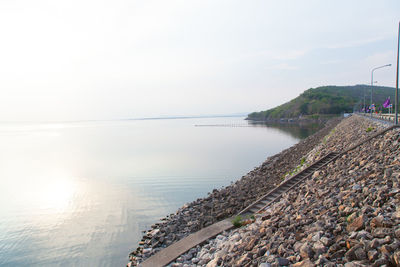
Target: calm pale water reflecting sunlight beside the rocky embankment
[{"x": 79, "y": 194}]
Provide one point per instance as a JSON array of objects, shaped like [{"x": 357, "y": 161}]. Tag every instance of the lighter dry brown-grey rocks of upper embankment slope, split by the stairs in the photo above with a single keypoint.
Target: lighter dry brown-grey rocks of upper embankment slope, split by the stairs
[{"x": 346, "y": 214}]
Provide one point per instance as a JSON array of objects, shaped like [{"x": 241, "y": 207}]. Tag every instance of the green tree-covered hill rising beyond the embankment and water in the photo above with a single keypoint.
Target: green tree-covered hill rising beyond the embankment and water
[{"x": 327, "y": 100}]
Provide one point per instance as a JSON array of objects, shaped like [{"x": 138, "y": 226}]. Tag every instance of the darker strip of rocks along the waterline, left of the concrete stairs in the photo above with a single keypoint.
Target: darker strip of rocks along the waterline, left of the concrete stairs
[{"x": 226, "y": 202}]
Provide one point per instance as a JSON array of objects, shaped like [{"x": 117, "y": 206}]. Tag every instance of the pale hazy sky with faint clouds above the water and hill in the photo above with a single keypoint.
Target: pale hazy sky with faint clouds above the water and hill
[{"x": 97, "y": 59}]
